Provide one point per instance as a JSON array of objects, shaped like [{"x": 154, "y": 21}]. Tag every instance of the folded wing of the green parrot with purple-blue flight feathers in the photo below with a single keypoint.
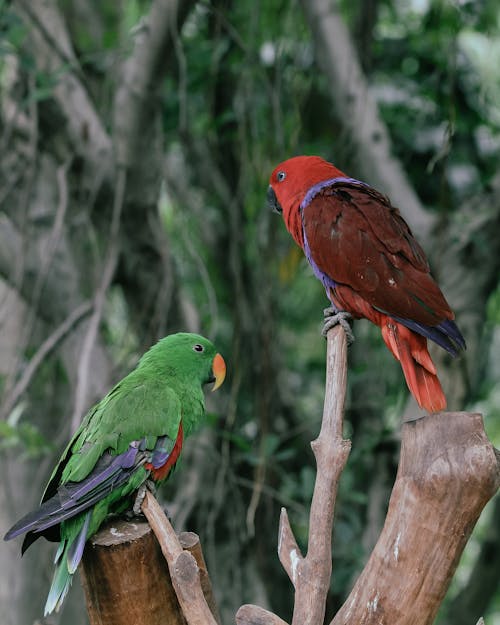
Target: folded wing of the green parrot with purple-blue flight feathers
[{"x": 134, "y": 428}]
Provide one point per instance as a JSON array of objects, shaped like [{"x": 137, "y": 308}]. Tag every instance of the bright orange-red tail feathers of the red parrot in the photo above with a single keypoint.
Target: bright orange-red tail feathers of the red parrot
[{"x": 419, "y": 370}]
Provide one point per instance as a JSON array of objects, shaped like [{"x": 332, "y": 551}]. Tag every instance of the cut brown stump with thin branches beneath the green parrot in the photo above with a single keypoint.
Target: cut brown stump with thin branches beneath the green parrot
[{"x": 127, "y": 574}]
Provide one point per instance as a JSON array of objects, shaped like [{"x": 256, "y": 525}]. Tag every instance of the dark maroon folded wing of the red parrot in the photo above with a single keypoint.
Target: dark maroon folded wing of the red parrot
[{"x": 358, "y": 239}]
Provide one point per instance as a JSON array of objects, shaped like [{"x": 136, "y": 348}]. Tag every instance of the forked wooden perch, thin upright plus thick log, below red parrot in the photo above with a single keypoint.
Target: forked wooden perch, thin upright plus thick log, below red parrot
[{"x": 448, "y": 471}]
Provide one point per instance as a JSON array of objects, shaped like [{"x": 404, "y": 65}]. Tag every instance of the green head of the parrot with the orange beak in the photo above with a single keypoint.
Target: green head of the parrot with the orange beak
[{"x": 188, "y": 357}]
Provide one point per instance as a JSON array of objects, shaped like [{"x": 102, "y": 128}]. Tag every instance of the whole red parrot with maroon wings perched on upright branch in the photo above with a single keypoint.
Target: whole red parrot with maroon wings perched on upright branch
[{"x": 370, "y": 264}]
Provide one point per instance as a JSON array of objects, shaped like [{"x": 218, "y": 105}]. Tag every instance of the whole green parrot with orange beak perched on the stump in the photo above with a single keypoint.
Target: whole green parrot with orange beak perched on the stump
[{"x": 133, "y": 435}]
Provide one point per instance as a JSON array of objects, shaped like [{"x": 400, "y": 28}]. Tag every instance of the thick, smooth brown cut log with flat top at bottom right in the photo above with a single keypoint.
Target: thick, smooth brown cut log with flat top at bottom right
[{"x": 448, "y": 471}]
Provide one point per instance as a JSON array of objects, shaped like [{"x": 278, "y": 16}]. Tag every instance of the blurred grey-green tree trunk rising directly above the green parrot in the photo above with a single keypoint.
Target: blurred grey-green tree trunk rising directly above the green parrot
[{"x": 139, "y": 144}]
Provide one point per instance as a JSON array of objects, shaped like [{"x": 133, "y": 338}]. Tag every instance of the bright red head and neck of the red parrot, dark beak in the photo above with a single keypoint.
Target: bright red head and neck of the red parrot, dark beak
[{"x": 290, "y": 182}]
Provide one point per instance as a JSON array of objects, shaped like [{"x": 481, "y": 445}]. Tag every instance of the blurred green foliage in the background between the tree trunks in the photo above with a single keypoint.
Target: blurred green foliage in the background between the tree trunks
[{"x": 245, "y": 93}]
